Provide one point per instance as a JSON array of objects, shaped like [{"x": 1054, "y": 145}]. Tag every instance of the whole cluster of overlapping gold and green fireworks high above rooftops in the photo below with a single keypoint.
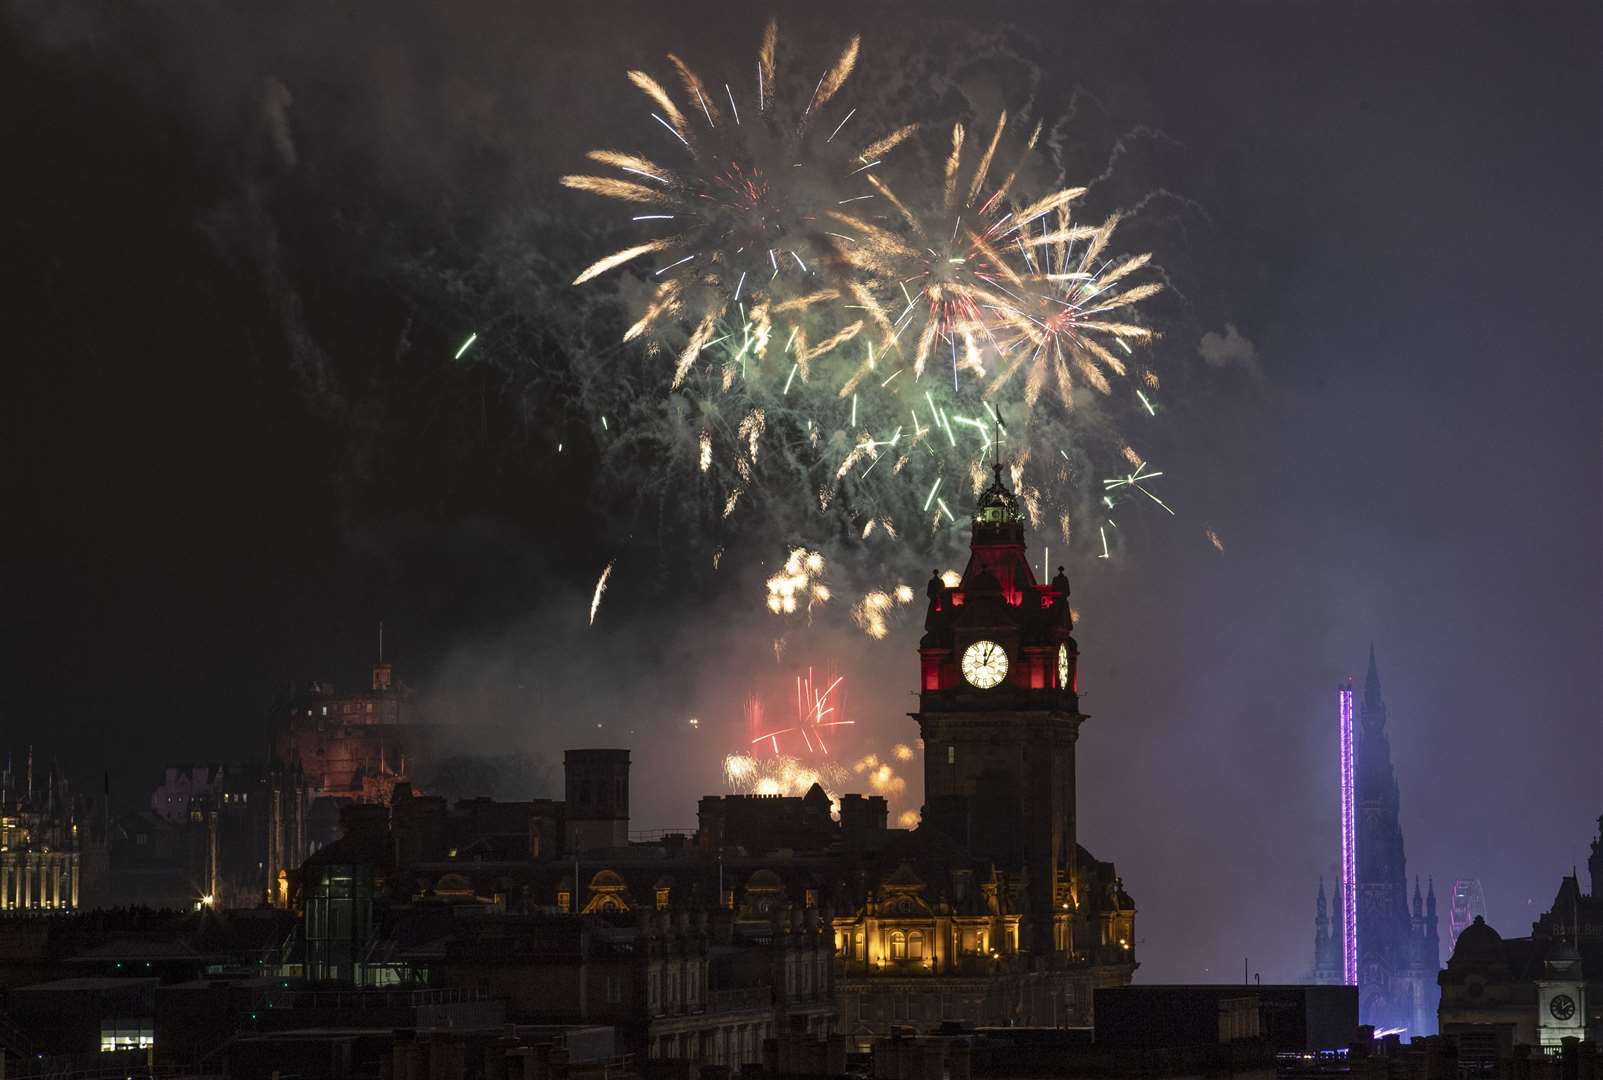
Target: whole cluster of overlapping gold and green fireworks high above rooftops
[{"x": 841, "y": 334}]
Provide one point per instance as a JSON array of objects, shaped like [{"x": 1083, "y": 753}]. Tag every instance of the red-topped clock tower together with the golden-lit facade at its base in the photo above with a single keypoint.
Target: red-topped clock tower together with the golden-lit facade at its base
[{"x": 990, "y": 911}]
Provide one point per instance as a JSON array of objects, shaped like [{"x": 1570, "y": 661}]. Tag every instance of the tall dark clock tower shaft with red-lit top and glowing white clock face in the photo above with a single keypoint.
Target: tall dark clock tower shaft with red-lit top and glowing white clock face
[{"x": 999, "y": 715}]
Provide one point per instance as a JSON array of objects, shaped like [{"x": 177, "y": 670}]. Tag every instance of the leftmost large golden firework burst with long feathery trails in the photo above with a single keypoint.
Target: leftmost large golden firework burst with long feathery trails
[{"x": 743, "y": 232}]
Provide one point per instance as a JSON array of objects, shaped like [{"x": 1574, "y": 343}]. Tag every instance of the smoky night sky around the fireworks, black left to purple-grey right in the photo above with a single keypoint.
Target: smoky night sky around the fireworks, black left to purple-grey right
[{"x": 241, "y": 248}]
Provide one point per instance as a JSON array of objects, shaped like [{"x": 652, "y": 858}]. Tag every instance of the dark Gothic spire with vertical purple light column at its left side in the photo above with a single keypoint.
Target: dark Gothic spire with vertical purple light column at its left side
[{"x": 1389, "y": 946}]
